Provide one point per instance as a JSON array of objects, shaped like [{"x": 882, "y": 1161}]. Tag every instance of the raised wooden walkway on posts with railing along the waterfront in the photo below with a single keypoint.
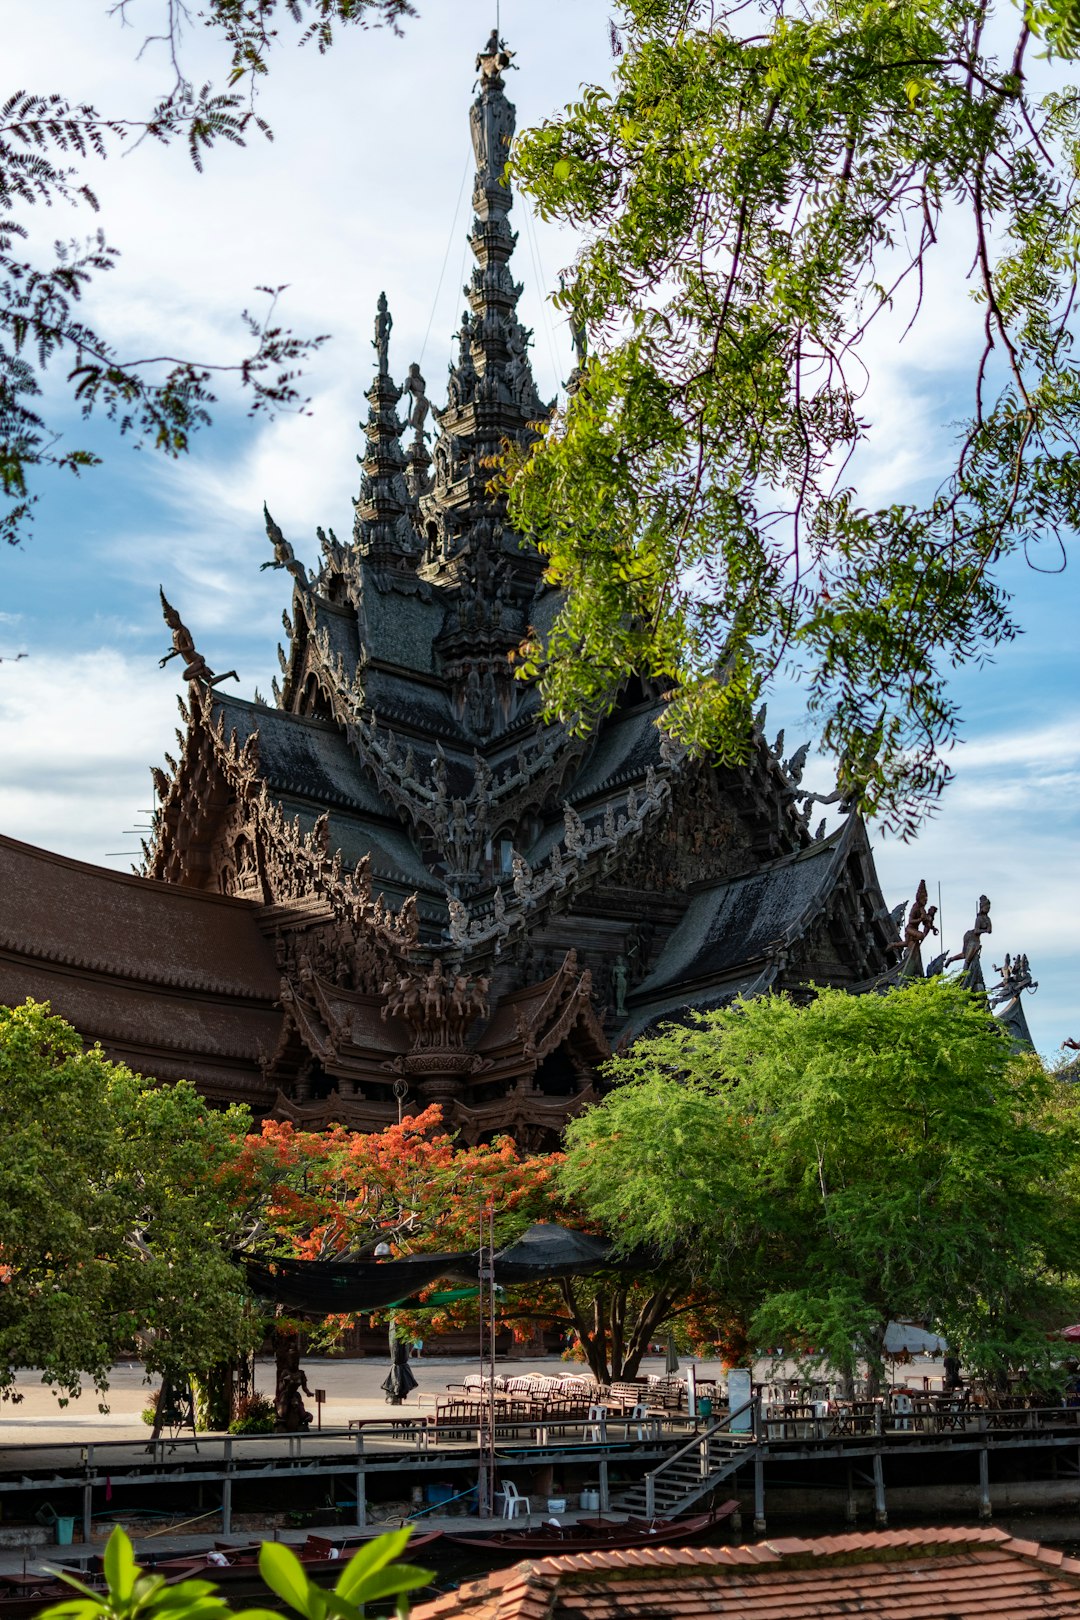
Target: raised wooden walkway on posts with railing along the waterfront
[{"x": 676, "y": 1467}]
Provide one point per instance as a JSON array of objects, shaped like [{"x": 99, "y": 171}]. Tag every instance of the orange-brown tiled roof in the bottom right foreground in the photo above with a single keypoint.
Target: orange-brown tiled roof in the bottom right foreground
[{"x": 893, "y": 1575}]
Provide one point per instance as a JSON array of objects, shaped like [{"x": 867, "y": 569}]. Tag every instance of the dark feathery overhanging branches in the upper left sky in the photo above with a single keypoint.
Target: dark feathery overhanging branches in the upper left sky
[{"x": 46, "y": 145}]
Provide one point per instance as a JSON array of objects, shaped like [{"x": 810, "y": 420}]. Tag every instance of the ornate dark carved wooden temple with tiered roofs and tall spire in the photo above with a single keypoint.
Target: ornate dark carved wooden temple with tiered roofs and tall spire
[{"x": 398, "y": 885}]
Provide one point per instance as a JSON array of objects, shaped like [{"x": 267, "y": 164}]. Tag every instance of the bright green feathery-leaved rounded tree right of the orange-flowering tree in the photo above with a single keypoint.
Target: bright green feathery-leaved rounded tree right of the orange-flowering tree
[{"x": 846, "y": 1162}]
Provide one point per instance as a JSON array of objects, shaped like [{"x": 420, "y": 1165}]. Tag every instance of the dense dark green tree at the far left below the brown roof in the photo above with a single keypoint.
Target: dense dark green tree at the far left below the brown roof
[{"x": 116, "y": 1214}]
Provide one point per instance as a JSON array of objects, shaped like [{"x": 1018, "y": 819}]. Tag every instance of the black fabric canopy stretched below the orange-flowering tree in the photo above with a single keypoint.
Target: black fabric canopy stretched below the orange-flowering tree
[{"x": 325, "y": 1287}]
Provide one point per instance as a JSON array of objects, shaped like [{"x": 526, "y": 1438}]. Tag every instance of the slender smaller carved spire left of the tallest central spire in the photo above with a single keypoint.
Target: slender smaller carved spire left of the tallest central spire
[{"x": 383, "y": 531}]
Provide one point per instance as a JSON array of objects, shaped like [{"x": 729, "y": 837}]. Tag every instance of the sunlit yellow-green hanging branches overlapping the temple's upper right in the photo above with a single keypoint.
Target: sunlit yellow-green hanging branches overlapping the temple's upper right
[{"x": 759, "y": 189}]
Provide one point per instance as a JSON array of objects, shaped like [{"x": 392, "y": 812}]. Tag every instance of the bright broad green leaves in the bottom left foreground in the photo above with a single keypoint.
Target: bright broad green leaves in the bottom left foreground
[{"x": 132, "y": 1595}]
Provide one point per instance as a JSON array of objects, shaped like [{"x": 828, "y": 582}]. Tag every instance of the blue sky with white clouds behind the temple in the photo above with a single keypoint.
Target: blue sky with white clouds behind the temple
[{"x": 359, "y": 194}]
